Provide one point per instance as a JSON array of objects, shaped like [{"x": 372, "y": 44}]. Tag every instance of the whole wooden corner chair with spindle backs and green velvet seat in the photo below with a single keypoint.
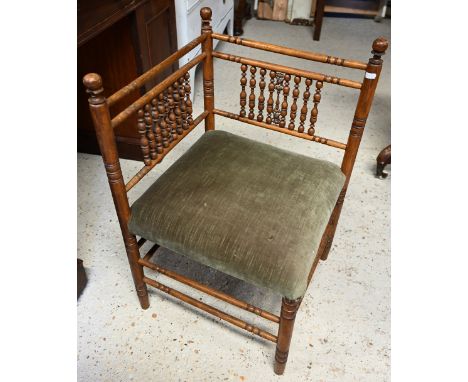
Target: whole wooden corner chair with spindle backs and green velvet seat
[{"x": 218, "y": 203}]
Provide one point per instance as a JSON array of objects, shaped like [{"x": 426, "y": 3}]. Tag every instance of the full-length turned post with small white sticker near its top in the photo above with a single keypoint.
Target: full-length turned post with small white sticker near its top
[{"x": 371, "y": 77}]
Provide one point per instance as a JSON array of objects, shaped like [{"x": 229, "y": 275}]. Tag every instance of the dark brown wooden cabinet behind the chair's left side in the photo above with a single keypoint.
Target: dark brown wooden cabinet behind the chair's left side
[{"x": 120, "y": 40}]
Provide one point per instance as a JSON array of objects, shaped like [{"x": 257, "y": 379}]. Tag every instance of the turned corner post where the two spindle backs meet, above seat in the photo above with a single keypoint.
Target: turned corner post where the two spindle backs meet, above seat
[{"x": 208, "y": 86}]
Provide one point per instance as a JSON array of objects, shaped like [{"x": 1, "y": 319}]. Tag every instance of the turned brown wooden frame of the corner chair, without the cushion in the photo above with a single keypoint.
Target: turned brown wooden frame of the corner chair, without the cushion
[{"x": 154, "y": 151}]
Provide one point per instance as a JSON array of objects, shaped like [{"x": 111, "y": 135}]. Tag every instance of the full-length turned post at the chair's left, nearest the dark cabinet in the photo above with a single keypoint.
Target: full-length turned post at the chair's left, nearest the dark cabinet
[{"x": 106, "y": 139}]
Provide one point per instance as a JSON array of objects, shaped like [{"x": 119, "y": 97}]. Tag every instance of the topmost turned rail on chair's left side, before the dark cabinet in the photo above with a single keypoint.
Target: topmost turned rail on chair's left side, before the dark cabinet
[{"x": 155, "y": 70}]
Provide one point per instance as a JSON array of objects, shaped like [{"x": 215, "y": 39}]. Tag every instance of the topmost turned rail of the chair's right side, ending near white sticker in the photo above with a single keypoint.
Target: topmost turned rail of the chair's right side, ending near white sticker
[{"x": 312, "y": 56}]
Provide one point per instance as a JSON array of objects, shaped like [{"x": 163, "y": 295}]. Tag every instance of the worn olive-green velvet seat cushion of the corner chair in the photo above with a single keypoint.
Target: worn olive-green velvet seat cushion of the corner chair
[{"x": 243, "y": 207}]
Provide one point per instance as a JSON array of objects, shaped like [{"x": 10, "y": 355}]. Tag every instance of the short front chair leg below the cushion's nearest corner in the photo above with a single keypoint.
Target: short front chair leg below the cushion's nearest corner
[{"x": 288, "y": 314}]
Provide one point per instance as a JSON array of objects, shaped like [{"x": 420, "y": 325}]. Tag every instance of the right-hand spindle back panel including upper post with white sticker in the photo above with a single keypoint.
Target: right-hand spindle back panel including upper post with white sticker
[{"x": 290, "y": 112}]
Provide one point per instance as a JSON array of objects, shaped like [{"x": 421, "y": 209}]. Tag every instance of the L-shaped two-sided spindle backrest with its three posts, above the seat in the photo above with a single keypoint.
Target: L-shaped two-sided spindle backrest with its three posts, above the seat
[{"x": 165, "y": 112}]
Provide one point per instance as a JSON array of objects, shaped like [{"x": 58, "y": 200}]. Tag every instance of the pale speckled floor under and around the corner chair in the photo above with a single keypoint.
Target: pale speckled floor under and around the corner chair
[{"x": 342, "y": 330}]
